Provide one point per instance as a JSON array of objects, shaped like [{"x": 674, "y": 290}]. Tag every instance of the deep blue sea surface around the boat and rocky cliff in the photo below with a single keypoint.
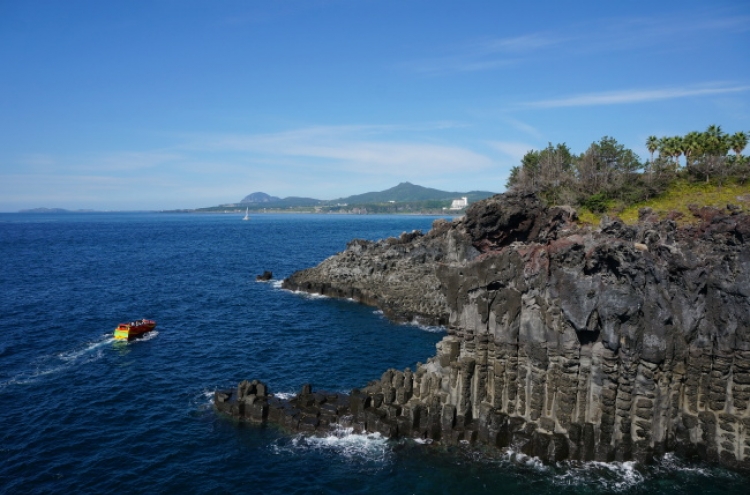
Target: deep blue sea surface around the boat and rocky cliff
[{"x": 81, "y": 413}]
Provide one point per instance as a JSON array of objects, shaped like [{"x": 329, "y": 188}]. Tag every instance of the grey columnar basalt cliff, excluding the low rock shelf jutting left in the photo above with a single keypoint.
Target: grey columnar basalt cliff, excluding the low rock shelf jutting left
[{"x": 563, "y": 342}]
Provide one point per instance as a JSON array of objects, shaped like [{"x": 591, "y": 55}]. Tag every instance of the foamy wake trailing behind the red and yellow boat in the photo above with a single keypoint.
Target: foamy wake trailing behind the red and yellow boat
[{"x": 60, "y": 361}]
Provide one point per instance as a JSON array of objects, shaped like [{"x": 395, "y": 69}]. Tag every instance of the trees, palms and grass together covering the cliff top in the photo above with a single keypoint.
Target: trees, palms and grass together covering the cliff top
[{"x": 609, "y": 178}]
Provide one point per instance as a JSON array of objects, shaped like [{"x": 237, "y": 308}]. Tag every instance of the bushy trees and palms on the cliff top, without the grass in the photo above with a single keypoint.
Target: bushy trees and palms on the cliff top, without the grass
[{"x": 607, "y": 173}]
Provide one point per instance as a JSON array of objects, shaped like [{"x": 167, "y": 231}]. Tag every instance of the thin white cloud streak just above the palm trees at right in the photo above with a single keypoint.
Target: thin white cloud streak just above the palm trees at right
[{"x": 633, "y": 96}]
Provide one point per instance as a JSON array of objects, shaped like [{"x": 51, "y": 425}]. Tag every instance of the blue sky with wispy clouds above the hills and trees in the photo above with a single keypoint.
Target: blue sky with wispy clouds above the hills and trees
[{"x": 183, "y": 104}]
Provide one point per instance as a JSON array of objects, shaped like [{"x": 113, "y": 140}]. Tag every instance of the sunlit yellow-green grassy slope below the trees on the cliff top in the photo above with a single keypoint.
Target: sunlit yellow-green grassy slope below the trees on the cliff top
[{"x": 677, "y": 198}]
